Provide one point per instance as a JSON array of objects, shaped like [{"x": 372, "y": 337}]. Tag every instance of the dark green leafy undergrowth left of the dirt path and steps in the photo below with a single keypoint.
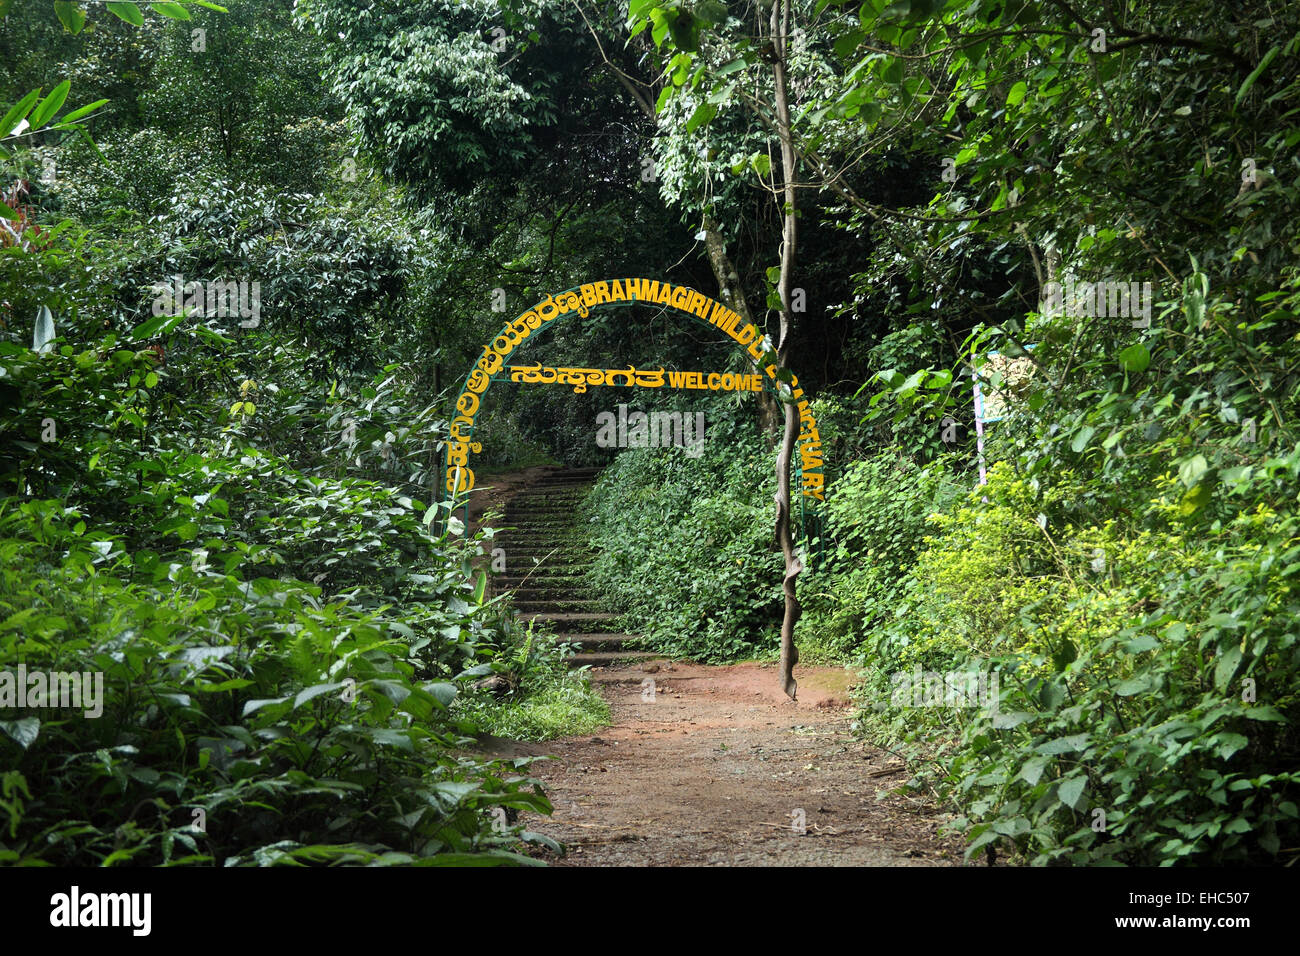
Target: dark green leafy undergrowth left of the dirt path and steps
[{"x": 279, "y": 651}]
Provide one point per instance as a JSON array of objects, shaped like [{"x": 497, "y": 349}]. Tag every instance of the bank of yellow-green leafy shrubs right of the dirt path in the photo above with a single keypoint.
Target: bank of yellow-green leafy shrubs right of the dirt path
[{"x": 1126, "y": 576}]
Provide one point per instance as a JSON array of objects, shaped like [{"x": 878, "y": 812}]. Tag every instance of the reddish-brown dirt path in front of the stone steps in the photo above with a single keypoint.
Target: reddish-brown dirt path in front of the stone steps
[{"x": 712, "y": 771}]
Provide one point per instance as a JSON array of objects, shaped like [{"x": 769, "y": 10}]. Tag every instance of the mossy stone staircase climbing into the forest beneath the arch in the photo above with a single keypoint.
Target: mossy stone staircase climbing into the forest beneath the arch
[{"x": 548, "y": 559}]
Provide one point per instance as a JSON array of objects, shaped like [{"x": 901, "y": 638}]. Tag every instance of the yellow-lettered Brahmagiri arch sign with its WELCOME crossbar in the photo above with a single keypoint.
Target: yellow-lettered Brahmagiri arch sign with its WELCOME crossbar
[{"x": 623, "y": 292}]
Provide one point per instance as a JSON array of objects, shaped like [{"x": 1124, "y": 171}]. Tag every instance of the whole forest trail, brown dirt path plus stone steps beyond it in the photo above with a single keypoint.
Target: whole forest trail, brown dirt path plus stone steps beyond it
[{"x": 703, "y": 765}]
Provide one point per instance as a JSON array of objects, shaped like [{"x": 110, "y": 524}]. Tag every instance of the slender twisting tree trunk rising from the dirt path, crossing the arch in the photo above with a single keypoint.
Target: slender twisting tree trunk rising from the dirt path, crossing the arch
[{"x": 781, "y": 24}]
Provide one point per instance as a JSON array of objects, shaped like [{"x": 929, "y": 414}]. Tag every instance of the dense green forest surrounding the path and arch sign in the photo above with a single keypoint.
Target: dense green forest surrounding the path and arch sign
[{"x": 250, "y": 253}]
